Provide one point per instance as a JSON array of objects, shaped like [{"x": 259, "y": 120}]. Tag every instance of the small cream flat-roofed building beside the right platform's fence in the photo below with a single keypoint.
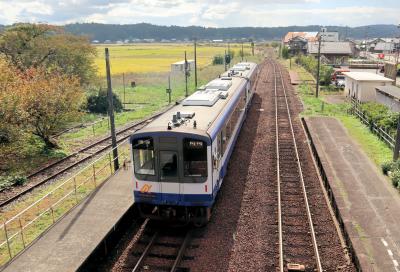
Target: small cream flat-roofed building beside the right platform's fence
[{"x": 361, "y": 85}]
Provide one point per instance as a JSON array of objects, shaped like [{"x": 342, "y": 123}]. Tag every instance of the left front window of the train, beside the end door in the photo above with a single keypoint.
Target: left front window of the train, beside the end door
[{"x": 143, "y": 156}]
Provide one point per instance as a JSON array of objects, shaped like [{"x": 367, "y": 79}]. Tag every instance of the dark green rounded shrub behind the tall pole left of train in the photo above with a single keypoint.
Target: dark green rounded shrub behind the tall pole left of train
[{"x": 98, "y": 103}]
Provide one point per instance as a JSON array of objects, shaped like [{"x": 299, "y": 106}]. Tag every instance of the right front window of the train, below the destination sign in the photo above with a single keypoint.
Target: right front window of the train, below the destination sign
[{"x": 194, "y": 158}]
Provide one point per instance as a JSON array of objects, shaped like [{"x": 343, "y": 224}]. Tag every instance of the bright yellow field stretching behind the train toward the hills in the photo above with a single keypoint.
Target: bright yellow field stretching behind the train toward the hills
[{"x": 145, "y": 58}]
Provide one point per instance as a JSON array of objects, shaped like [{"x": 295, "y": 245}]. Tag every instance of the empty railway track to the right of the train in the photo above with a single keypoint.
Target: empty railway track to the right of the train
[{"x": 298, "y": 249}]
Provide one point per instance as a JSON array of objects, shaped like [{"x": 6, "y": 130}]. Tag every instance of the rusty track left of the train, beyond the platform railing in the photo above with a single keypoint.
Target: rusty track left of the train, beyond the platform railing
[{"x": 70, "y": 163}]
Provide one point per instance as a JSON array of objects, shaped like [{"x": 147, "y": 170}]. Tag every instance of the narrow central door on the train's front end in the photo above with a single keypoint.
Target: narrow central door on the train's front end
[{"x": 168, "y": 161}]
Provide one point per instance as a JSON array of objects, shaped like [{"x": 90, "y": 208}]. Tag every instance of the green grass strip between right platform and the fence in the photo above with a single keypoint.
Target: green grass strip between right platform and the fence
[{"x": 375, "y": 149}]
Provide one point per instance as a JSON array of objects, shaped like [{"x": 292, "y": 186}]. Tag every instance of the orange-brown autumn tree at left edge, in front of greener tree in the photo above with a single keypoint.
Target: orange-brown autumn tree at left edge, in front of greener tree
[{"x": 37, "y": 102}]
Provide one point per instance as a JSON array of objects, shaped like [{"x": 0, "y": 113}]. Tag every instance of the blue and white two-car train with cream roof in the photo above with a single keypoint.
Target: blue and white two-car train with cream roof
[{"x": 180, "y": 158}]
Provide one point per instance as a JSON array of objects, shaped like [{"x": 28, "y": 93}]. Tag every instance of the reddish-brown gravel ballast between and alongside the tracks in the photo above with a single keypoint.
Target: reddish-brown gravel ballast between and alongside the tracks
[{"x": 243, "y": 232}]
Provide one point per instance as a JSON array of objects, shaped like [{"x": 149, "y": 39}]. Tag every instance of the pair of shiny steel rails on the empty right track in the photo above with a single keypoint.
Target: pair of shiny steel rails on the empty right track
[{"x": 310, "y": 221}]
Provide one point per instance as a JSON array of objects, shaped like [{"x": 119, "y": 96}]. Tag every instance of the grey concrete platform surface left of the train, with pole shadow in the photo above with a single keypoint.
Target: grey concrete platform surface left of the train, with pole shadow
[{"x": 68, "y": 243}]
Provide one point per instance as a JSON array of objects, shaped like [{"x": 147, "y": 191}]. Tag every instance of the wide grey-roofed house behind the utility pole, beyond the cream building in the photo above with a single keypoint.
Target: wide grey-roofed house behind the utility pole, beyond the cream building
[{"x": 334, "y": 52}]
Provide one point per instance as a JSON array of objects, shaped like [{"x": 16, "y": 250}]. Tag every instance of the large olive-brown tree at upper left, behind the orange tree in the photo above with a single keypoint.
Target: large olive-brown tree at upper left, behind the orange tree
[{"x": 44, "y": 46}]
